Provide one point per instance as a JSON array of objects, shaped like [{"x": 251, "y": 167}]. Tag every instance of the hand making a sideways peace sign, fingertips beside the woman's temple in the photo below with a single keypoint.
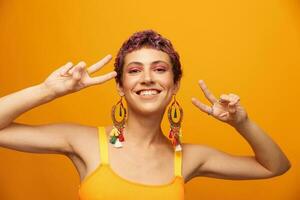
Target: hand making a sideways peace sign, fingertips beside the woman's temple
[{"x": 71, "y": 78}]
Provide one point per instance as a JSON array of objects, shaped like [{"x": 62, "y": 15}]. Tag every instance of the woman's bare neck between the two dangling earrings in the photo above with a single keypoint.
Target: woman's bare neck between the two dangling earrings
[{"x": 144, "y": 131}]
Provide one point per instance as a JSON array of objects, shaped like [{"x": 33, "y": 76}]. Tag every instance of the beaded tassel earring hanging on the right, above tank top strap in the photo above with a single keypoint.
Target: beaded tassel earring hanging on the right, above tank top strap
[{"x": 175, "y": 133}]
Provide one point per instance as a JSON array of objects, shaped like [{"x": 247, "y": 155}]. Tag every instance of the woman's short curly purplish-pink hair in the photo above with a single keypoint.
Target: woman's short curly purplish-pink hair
[{"x": 149, "y": 39}]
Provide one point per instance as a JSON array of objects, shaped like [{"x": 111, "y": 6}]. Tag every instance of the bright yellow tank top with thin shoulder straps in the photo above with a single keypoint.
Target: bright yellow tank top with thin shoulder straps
[{"x": 104, "y": 183}]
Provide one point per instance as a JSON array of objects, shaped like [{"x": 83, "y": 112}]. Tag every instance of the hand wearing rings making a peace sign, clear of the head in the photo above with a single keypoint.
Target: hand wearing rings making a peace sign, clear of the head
[{"x": 226, "y": 109}]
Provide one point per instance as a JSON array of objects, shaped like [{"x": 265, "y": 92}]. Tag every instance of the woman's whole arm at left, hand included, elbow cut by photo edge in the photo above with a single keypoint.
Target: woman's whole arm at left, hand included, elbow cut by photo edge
[{"x": 48, "y": 138}]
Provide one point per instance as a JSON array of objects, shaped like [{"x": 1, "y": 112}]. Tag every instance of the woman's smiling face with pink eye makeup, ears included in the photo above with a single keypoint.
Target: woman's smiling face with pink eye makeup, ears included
[{"x": 147, "y": 81}]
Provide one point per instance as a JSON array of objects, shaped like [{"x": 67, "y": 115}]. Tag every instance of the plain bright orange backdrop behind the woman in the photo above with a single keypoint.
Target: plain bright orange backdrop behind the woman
[{"x": 250, "y": 48}]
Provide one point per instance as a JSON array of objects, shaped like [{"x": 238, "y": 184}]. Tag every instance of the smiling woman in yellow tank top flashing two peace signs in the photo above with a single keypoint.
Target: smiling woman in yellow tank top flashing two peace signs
[{"x": 132, "y": 159}]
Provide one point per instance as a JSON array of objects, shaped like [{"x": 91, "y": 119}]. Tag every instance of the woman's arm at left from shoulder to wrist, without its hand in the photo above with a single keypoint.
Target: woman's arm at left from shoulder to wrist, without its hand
[{"x": 21, "y": 137}]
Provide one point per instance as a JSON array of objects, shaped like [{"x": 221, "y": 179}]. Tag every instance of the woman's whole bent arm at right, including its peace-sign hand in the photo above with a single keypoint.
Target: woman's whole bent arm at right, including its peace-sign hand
[{"x": 269, "y": 160}]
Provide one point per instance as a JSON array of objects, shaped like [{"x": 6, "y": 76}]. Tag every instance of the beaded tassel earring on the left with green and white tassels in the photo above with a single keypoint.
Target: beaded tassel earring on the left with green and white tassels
[{"x": 117, "y": 134}]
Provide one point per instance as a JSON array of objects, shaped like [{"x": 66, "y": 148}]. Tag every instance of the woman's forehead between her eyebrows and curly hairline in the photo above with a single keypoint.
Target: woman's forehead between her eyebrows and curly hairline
[{"x": 146, "y": 56}]
